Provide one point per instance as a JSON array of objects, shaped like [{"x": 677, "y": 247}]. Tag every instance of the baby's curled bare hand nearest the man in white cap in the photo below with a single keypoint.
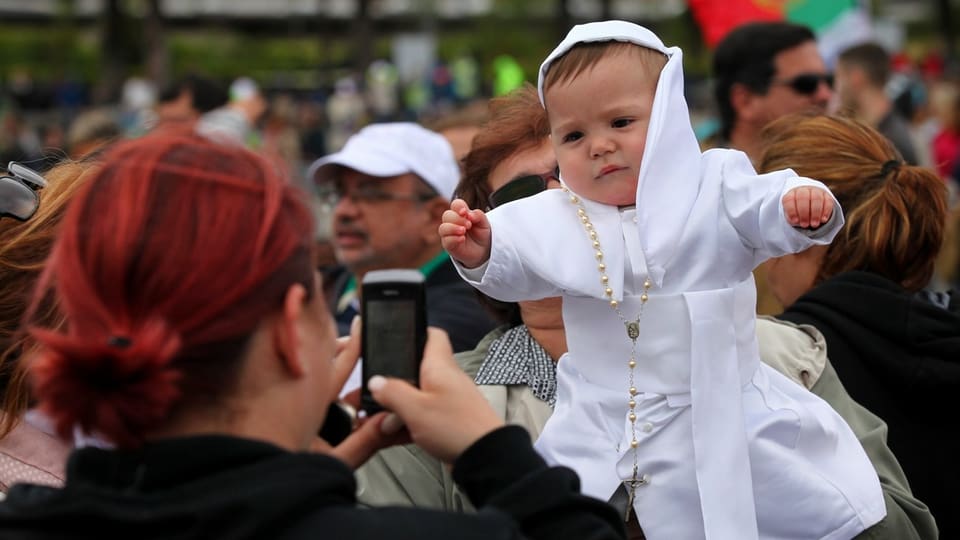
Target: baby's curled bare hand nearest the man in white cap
[{"x": 465, "y": 234}]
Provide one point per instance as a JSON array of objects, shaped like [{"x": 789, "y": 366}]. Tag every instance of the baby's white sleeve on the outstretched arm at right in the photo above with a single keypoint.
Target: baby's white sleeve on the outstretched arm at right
[{"x": 752, "y": 203}]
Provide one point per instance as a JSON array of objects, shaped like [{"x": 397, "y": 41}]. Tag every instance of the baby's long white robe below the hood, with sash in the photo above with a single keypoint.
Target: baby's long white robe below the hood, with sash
[{"x": 761, "y": 457}]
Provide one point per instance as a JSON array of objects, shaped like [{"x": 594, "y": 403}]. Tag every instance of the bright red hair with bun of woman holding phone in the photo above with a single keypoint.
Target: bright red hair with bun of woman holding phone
[{"x": 167, "y": 260}]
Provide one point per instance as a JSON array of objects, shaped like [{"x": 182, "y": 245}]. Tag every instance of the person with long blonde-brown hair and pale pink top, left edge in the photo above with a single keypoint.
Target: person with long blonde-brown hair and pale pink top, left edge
[{"x": 30, "y": 450}]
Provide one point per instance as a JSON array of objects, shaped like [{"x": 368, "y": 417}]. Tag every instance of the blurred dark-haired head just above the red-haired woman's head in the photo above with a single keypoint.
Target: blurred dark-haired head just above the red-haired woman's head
[{"x": 186, "y": 99}]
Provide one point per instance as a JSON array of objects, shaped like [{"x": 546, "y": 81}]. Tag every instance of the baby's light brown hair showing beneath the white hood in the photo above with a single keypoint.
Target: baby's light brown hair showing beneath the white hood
[{"x": 584, "y": 56}]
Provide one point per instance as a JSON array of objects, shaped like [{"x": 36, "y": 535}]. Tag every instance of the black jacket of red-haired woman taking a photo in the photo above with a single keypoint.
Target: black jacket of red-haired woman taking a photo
[{"x": 217, "y": 487}]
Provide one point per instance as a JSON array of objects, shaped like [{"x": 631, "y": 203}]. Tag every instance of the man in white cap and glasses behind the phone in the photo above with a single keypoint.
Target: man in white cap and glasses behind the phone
[{"x": 388, "y": 187}]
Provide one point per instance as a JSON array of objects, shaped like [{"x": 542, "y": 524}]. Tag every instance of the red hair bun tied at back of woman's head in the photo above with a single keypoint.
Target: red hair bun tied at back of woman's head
[{"x": 118, "y": 386}]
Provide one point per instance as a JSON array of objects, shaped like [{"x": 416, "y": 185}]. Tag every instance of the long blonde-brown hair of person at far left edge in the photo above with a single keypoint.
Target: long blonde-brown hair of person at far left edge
[{"x": 24, "y": 247}]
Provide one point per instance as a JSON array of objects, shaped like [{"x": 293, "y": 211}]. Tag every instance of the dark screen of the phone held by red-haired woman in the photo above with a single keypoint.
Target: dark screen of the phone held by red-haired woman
[{"x": 392, "y": 350}]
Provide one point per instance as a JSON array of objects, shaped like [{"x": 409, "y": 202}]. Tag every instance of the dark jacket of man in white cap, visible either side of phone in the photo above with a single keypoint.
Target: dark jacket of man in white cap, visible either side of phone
[{"x": 452, "y": 305}]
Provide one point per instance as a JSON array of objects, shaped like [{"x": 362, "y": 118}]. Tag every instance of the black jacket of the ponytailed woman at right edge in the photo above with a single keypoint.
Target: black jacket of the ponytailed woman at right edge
[{"x": 898, "y": 354}]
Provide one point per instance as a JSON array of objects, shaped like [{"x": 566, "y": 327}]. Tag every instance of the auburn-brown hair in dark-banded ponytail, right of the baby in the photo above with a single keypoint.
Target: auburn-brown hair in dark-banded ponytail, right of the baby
[{"x": 895, "y": 213}]
